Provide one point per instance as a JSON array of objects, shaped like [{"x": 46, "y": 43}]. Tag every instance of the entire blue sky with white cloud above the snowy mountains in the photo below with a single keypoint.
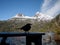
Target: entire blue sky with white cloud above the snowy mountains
[{"x": 9, "y": 8}]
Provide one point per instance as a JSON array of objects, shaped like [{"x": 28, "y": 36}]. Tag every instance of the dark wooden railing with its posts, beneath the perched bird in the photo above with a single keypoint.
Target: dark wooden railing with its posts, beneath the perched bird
[{"x": 30, "y": 37}]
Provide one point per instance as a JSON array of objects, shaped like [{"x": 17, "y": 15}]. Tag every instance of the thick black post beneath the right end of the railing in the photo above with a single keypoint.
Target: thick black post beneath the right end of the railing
[{"x": 37, "y": 39}]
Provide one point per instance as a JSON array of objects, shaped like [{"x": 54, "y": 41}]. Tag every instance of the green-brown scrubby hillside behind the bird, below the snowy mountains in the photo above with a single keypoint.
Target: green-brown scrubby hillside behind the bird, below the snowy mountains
[{"x": 37, "y": 26}]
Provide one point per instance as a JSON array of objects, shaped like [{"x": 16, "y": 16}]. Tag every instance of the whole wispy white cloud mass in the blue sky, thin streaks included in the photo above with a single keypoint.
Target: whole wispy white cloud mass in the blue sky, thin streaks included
[{"x": 48, "y": 9}]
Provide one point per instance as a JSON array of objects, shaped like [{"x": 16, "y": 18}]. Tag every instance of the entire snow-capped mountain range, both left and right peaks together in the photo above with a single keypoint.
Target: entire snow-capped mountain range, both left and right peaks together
[{"x": 38, "y": 16}]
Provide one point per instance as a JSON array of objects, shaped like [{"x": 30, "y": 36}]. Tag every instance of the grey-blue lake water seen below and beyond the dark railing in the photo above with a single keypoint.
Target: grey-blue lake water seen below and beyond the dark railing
[{"x": 22, "y": 41}]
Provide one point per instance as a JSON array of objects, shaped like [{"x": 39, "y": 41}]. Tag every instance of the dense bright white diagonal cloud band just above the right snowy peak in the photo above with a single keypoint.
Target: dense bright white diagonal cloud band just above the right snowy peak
[{"x": 54, "y": 10}]
